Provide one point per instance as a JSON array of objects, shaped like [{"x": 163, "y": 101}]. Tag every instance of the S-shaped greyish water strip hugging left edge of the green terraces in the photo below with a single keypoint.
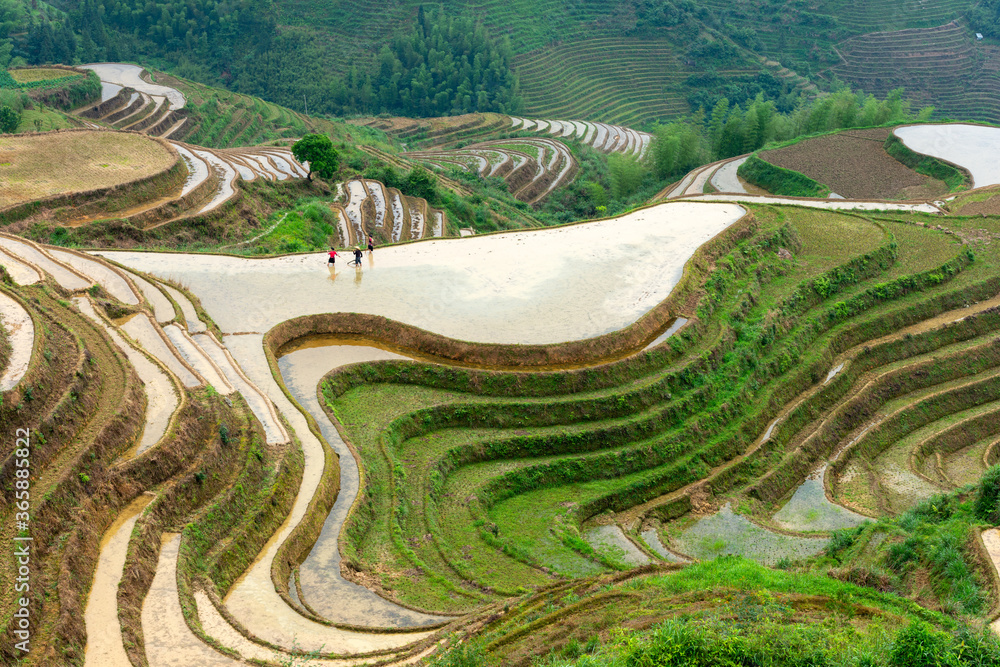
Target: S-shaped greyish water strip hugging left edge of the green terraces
[{"x": 323, "y": 588}]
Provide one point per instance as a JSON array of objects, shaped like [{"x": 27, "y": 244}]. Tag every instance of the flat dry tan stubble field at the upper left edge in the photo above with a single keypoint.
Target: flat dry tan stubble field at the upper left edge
[{"x": 42, "y": 165}]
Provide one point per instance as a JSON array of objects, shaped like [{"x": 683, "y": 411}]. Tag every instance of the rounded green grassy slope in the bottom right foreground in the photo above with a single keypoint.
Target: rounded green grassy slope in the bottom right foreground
[{"x": 722, "y": 613}]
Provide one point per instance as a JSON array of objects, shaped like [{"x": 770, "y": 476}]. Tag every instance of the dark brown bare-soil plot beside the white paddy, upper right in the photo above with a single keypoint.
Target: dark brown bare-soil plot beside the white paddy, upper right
[{"x": 854, "y": 165}]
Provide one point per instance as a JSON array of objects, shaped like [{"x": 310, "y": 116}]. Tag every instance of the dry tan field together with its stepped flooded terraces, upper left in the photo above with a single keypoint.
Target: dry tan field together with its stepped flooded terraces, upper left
[{"x": 168, "y": 181}]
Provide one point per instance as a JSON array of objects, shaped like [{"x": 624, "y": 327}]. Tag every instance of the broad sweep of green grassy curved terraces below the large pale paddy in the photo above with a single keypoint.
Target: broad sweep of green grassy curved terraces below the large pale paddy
[{"x": 490, "y": 467}]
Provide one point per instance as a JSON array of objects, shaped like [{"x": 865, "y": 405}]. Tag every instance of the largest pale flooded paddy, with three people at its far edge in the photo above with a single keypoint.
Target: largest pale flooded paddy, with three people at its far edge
[{"x": 542, "y": 286}]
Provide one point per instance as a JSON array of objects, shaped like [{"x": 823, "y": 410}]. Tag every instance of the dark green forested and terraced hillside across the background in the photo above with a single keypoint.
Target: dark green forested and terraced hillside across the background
[{"x": 632, "y": 62}]
